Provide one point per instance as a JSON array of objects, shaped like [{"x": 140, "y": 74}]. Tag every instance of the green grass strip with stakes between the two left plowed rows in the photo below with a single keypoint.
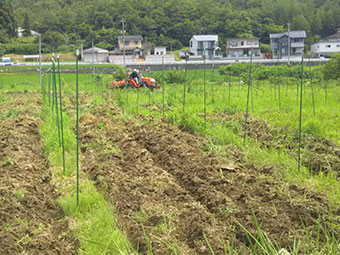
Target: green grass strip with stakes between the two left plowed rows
[{"x": 95, "y": 223}]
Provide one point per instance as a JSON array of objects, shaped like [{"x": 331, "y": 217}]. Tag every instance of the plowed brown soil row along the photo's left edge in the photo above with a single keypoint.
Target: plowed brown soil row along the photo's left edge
[{"x": 30, "y": 221}]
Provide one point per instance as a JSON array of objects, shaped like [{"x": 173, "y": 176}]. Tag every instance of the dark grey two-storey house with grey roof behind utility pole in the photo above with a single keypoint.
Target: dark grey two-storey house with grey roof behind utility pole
[{"x": 293, "y": 40}]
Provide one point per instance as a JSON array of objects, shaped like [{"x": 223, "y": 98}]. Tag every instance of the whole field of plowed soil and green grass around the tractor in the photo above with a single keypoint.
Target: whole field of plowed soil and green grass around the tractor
[{"x": 206, "y": 164}]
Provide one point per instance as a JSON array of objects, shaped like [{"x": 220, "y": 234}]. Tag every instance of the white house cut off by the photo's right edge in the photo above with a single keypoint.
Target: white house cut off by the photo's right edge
[{"x": 328, "y": 45}]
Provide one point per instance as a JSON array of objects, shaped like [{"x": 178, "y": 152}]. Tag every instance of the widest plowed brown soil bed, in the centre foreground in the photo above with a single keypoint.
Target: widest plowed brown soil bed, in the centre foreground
[{"x": 158, "y": 177}]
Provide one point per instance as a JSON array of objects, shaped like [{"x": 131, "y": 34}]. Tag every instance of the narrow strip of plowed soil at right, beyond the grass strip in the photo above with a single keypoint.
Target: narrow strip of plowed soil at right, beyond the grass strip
[{"x": 318, "y": 154}]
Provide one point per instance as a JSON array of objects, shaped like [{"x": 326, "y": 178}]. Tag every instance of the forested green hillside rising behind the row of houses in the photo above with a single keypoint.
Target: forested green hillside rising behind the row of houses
[{"x": 165, "y": 22}]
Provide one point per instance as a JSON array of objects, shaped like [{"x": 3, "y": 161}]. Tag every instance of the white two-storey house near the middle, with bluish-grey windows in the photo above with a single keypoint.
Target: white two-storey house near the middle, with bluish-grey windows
[{"x": 200, "y": 43}]
